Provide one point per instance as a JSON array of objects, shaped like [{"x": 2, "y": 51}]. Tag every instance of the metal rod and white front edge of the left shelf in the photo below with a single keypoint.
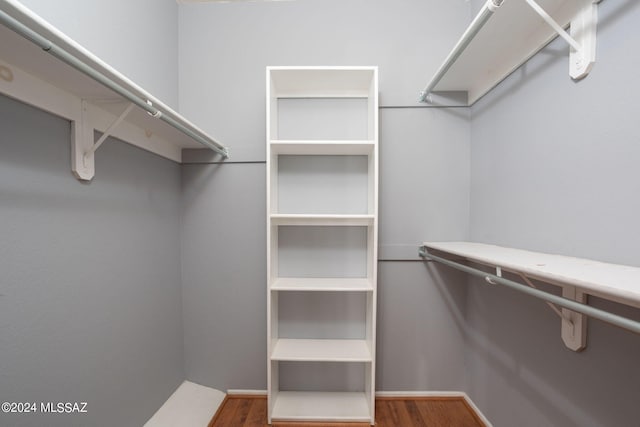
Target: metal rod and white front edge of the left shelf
[{"x": 141, "y": 99}]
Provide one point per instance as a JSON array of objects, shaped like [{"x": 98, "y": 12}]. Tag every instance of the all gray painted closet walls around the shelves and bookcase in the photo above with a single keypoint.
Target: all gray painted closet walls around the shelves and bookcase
[{"x": 552, "y": 167}]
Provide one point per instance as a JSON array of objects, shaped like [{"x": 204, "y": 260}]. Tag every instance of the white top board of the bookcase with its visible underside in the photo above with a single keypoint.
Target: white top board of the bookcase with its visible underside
[{"x": 321, "y": 82}]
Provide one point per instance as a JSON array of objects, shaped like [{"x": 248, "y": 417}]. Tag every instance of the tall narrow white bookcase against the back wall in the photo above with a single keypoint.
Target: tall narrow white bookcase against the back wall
[{"x": 322, "y": 238}]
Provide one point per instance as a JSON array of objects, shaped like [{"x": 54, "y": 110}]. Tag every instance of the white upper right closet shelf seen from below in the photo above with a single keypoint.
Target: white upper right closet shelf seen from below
[{"x": 505, "y": 39}]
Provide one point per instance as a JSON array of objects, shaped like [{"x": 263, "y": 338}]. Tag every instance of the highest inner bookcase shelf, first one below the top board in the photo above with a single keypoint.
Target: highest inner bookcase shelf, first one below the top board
[{"x": 332, "y": 148}]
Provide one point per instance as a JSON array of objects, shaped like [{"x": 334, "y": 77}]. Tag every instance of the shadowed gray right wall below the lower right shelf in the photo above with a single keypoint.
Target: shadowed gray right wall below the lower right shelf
[{"x": 521, "y": 372}]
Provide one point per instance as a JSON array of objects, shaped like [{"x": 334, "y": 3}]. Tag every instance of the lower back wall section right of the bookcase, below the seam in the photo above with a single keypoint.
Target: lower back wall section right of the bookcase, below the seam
[{"x": 421, "y": 327}]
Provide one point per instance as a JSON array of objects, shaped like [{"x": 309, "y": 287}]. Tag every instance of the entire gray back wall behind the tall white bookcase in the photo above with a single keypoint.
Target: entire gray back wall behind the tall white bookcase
[{"x": 424, "y": 186}]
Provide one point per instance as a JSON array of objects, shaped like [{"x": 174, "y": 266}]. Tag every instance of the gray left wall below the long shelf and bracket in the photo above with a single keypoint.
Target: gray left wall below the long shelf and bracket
[{"x": 90, "y": 303}]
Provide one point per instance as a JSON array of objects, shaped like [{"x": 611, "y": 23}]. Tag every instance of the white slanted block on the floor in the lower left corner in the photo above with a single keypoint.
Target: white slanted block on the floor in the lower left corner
[{"x": 191, "y": 405}]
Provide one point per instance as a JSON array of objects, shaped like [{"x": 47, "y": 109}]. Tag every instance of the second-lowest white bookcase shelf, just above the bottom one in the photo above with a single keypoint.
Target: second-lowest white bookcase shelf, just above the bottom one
[{"x": 321, "y": 350}]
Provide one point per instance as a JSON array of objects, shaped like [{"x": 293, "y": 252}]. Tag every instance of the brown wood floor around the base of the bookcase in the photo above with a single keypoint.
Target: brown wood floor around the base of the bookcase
[{"x": 251, "y": 411}]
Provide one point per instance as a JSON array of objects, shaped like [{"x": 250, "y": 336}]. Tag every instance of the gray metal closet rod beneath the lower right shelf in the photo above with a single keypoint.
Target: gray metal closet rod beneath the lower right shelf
[{"x": 596, "y": 313}]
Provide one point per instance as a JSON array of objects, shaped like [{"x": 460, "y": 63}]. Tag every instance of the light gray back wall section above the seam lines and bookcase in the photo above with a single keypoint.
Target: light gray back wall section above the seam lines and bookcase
[{"x": 225, "y": 47}]
